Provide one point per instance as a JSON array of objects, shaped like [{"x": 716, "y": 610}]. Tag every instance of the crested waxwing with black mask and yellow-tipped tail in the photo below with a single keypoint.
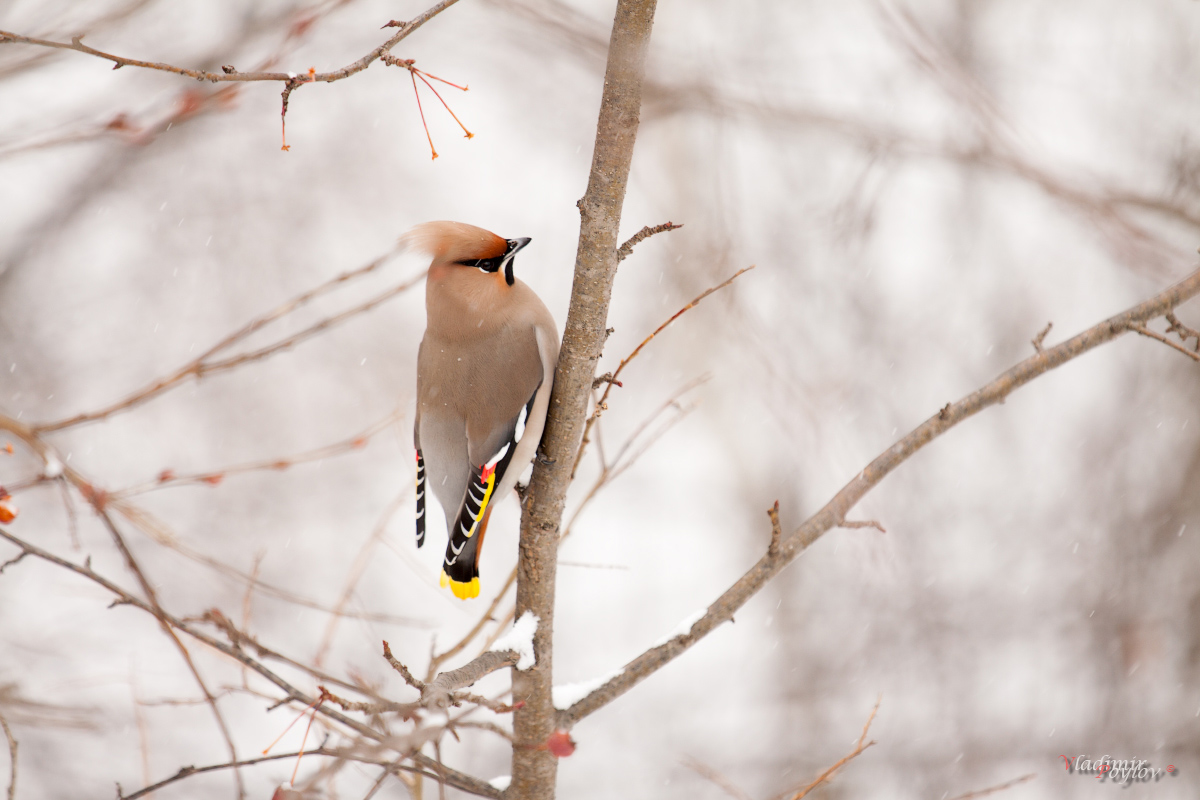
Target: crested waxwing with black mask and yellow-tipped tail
[{"x": 484, "y": 376}]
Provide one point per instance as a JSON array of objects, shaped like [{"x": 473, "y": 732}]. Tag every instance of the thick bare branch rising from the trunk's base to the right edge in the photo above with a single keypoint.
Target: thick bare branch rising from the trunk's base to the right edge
[{"x": 835, "y": 513}]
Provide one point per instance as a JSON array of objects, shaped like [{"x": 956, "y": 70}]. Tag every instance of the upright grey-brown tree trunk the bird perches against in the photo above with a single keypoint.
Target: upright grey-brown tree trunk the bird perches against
[{"x": 596, "y": 267}]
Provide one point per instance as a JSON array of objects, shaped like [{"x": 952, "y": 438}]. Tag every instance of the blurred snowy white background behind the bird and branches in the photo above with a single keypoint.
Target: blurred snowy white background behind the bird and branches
[{"x": 922, "y": 189}]
